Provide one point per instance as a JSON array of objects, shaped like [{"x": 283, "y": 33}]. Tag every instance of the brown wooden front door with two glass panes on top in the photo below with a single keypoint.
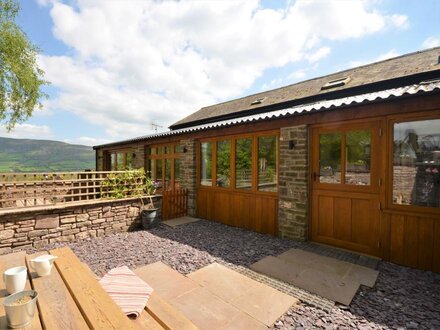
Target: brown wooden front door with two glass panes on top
[{"x": 345, "y": 176}]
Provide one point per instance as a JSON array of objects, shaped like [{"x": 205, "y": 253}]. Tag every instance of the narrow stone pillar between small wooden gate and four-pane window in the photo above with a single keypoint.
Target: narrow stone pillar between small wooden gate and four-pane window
[{"x": 188, "y": 172}]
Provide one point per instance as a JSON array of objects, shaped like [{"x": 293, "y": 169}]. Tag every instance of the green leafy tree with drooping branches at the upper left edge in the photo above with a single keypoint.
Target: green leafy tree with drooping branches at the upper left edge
[{"x": 20, "y": 77}]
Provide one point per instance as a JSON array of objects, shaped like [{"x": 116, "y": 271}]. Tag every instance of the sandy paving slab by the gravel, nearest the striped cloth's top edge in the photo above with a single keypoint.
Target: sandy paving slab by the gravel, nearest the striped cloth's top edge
[{"x": 165, "y": 281}]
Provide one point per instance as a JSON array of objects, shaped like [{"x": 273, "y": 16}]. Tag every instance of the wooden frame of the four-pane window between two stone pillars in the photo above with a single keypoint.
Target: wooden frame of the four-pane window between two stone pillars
[{"x": 233, "y": 139}]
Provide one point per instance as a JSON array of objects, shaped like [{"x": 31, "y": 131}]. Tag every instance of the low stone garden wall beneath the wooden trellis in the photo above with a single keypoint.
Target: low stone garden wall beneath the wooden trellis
[{"x": 41, "y": 226}]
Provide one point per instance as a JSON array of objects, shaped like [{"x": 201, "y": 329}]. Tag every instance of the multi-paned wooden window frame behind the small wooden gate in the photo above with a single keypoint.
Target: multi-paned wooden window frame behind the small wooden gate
[{"x": 172, "y": 155}]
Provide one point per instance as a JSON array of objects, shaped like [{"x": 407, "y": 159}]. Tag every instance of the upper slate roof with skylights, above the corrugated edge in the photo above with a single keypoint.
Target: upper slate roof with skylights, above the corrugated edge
[{"x": 372, "y": 75}]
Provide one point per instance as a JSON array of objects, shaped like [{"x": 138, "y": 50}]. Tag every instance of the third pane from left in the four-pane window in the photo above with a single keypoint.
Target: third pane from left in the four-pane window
[{"x": 243, "y": 164}]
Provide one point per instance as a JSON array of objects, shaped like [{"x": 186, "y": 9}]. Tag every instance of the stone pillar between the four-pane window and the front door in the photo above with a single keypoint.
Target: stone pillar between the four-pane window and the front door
[{"x": 293, "y": 217}]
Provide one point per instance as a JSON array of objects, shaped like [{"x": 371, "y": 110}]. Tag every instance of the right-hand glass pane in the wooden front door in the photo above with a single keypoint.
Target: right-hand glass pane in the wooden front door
[{"x": 357, "y": 153}]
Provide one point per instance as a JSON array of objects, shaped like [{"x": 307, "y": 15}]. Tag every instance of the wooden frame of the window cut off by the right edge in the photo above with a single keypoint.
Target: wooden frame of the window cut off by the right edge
[{"x": 390, "y": 206}]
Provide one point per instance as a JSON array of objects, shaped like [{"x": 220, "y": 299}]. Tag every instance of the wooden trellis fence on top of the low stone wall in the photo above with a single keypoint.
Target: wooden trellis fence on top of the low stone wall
[{"x": 20, "y": 190}]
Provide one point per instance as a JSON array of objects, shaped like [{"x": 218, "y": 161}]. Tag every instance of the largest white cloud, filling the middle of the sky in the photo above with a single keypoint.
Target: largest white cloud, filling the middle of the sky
[{"x": 139, "y": 62}]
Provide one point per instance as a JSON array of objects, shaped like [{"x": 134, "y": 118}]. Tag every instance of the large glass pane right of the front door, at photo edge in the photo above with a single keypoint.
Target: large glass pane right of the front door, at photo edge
[{"x": 416, "y": 177}]
